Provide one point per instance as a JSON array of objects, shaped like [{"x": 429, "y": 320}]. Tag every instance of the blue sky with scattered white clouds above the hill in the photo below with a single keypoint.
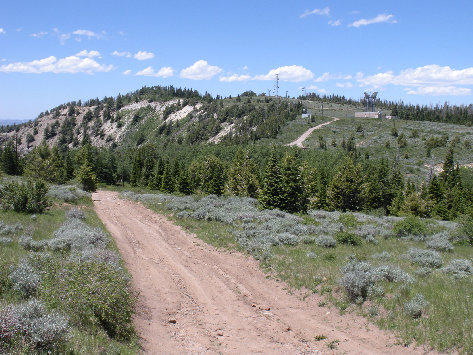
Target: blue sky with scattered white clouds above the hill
[{"x": 53, "y": 52}]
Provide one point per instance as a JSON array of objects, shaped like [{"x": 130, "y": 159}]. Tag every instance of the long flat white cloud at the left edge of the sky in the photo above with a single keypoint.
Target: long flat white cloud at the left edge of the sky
[{"x": 72, "y": 65}]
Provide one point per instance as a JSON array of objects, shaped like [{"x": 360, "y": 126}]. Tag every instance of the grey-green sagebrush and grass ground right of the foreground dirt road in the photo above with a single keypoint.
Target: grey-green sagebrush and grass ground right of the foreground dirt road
[{"x": 409, "y": 275}]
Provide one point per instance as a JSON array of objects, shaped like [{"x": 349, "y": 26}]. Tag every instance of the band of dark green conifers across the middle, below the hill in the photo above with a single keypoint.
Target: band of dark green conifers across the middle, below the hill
[{"x": 282, "y": 179}]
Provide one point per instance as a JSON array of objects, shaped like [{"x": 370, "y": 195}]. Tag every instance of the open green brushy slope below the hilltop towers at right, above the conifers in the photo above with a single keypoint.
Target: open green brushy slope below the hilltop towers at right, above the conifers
[{"x": 420, "y": 146}]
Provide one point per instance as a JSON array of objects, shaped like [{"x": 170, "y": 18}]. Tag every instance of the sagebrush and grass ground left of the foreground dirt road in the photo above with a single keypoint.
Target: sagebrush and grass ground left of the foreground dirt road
[{"x": 63, "y": 286}]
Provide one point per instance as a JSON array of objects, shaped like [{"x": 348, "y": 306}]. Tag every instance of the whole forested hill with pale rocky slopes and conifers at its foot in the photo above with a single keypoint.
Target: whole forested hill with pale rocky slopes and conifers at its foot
[{"x": 177, "y": 140}]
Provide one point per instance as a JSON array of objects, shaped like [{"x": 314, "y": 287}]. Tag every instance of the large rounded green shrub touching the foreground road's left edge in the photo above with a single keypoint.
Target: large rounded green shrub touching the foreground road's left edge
[{"x": 93, "y": 294}]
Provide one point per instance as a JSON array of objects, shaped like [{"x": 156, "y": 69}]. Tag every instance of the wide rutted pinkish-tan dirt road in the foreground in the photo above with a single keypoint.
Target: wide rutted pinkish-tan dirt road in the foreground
[{"x": 194, "y": 299}]
